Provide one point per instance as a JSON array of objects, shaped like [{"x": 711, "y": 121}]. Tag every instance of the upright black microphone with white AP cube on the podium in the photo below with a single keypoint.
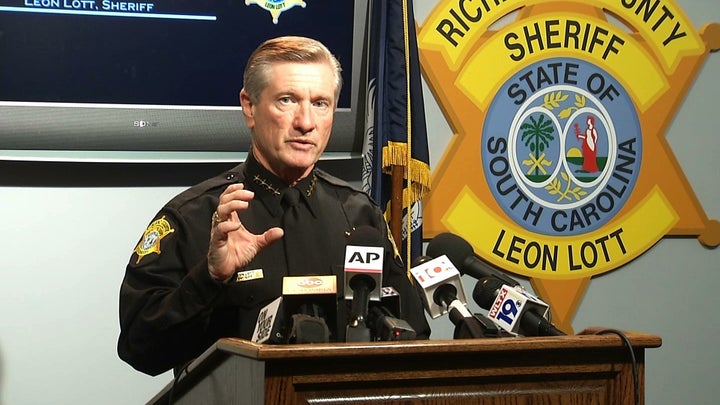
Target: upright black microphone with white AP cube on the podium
[{"x": 364, "y": 257}]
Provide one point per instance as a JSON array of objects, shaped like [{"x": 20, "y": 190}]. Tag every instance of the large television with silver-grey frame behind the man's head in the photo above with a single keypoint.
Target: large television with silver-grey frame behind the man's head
[{"x": 99, "y": 80}]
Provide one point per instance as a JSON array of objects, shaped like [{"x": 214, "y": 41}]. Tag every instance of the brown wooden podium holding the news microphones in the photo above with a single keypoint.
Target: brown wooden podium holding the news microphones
[{"x": 582, "y": 369}]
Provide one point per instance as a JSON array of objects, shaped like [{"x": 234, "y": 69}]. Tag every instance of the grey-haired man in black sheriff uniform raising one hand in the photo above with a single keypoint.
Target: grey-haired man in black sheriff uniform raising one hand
[{"x": 217, "y": 253}]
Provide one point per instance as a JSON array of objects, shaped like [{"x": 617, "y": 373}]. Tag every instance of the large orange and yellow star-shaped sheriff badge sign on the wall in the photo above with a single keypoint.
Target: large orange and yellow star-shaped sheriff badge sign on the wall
[{"x": 559, "y": 170}]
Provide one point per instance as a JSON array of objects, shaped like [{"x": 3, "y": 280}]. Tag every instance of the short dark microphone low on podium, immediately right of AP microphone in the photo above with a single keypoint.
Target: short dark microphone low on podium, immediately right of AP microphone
[{"x": 383, "y": 321}]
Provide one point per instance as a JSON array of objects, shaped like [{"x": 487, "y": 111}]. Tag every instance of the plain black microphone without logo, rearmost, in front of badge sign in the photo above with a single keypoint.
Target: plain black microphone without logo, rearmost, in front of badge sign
[{"x": 460, "y": 252}]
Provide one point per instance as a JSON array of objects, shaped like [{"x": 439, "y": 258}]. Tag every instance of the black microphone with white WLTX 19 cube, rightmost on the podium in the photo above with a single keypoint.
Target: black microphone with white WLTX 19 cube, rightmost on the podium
[{"x": 513, "y": 309}]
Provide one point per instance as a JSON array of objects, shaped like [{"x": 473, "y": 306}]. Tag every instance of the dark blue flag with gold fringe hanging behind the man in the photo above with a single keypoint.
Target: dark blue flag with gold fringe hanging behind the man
[{"x": 395, "y": 131}]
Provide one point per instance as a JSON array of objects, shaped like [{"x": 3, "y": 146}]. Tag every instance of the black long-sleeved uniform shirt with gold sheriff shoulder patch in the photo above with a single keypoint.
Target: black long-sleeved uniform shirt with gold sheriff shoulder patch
[{"x": 171, "y": 310}]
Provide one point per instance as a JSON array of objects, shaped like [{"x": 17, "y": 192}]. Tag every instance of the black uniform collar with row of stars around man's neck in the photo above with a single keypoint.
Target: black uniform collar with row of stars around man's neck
[{"x": 268, "y": 187}]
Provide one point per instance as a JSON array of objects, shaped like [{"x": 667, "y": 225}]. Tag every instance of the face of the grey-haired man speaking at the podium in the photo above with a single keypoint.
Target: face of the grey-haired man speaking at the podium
[{"x": 292, "y": 119}]
